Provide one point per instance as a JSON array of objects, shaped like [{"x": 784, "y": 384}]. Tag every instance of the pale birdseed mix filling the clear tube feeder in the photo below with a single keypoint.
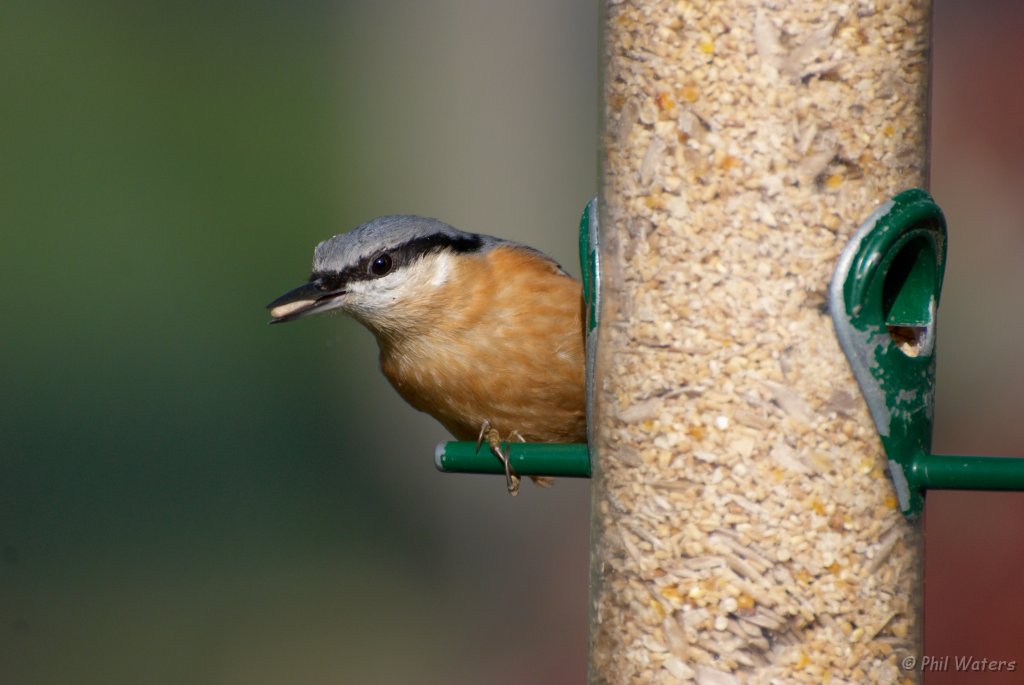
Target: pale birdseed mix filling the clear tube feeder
[{"x": 745, "y": 527}]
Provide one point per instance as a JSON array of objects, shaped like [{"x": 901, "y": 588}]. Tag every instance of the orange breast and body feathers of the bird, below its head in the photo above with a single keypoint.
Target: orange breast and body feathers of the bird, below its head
[{"x": 506, "y": 347}]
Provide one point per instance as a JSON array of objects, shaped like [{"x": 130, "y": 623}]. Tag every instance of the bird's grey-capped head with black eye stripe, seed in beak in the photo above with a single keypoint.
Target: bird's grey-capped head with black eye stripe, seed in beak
[{"x": 381, "y": 273}]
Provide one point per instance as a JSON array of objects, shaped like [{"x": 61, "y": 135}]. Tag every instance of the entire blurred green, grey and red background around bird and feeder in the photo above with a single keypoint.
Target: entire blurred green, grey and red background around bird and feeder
[{"x": 190, "y": 496}]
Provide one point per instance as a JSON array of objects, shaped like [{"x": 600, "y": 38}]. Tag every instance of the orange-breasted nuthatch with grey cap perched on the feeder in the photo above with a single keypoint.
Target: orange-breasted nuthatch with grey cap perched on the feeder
[{"x": 484, "y": 334}]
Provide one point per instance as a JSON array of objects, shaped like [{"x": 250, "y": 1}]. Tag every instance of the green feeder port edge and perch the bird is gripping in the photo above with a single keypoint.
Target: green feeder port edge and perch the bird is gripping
[{"x": 544, "y": 459}]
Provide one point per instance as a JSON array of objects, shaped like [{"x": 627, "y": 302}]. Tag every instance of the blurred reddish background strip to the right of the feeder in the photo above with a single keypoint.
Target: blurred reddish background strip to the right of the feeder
[{"x": 974, "y": 600}]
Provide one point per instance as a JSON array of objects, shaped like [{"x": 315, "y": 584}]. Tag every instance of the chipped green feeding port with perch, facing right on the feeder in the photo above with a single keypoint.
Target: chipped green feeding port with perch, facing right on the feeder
[{"x": 884, "y": 298}]
